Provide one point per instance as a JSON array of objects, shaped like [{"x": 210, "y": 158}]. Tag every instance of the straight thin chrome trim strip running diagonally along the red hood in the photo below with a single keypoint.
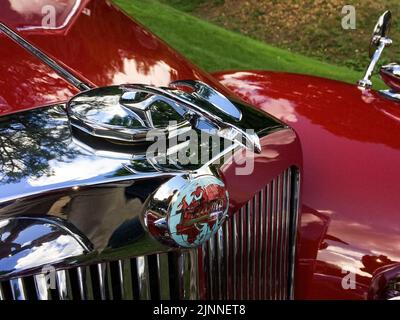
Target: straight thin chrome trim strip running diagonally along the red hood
[{"x": 43, "y": 57}]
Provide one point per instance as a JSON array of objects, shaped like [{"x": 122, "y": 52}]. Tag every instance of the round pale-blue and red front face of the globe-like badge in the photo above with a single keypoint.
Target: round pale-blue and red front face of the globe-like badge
[{"x": 198, "y": 211}]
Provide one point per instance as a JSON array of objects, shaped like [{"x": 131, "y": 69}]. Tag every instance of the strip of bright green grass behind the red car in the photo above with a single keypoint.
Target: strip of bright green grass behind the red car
[{"x": 214, "y": 48}]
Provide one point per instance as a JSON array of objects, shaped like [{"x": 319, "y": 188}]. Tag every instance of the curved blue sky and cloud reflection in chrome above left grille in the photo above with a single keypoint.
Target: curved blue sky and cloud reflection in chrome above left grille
[{"x": 31, "y": 243}]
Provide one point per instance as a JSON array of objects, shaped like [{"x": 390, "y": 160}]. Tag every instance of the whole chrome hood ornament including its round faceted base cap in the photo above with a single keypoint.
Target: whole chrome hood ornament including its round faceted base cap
[{"x": 130, "y": 113}]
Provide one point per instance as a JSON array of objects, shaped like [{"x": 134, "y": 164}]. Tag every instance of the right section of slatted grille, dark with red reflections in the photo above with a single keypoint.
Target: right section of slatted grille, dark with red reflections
[{"x": 252, "y": 256}]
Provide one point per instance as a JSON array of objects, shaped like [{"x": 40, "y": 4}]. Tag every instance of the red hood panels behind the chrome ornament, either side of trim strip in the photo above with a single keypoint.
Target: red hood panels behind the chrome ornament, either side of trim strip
[{"x": 92, "y": 39}]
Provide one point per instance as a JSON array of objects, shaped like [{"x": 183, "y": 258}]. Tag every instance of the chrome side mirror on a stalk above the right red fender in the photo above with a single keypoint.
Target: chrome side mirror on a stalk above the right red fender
[{"x": 379, "y": 41}]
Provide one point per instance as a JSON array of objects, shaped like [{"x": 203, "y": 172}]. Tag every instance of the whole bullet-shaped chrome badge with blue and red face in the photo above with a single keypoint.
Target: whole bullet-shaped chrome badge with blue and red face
[{"x": 187, "y": 212}]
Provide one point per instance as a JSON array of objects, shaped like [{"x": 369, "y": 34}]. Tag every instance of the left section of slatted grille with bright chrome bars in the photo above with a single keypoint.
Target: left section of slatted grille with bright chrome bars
[{"x": 161, "y": 276}]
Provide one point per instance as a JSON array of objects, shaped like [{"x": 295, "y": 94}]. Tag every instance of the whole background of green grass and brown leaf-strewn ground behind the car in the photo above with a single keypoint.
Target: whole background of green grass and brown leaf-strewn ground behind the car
[{"x": 286, "y": 35}]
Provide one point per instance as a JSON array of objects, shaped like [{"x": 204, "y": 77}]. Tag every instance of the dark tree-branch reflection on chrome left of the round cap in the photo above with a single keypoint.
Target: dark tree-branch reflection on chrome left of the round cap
[{"x": 28, "y": 141}]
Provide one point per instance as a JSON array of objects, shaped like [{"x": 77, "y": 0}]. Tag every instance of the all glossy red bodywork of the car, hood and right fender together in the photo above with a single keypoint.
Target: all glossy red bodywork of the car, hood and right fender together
[{"x": 349, "y": 218}]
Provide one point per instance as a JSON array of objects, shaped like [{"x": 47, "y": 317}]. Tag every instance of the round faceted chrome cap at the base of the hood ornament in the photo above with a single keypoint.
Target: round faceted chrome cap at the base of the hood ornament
[{"x": 125, "y": 113}]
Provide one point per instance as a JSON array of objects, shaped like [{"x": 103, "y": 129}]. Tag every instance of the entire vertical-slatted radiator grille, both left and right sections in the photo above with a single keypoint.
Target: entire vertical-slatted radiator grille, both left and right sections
[{"x": 251, "y": 257}]
